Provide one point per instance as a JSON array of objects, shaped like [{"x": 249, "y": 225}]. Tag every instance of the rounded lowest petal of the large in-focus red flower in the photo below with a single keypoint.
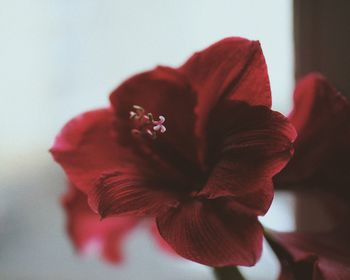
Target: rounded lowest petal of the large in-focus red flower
[{"x": 208, "y": 232}]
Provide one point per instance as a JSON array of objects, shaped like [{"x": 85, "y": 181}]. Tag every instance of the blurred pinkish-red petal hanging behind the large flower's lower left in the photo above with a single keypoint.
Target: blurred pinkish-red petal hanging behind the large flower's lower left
[{"x": 87, "y": 231}]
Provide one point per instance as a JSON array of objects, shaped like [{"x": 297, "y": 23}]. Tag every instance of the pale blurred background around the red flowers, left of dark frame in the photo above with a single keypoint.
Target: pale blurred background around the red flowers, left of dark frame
[{"x": 61, "y": 57}]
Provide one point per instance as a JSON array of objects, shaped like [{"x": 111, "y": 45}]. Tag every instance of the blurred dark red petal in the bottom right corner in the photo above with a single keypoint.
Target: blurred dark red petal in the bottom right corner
[{"x": 314, "y": 256}]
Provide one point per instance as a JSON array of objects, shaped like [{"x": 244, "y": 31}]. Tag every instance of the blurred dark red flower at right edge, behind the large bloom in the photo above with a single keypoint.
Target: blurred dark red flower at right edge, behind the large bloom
[{"x": 321, "y": 163}]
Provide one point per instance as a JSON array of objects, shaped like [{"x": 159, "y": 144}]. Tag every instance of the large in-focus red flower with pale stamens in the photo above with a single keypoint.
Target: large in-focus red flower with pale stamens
[{"x": 207, "y": 177}]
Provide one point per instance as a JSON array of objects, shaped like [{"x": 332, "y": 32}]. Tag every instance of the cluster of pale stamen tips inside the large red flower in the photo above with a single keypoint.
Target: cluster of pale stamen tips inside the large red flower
[{"x": 145, "y": 123}]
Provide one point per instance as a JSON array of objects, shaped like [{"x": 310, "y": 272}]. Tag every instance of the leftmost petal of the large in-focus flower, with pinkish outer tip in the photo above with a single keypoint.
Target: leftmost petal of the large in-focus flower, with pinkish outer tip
[{"x": 117, "y": 181}]
